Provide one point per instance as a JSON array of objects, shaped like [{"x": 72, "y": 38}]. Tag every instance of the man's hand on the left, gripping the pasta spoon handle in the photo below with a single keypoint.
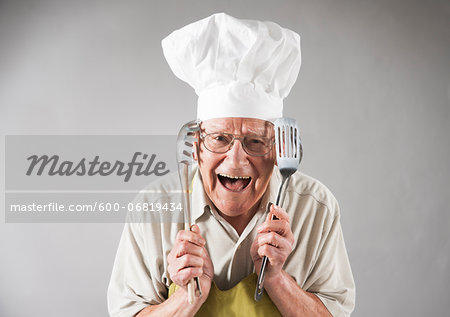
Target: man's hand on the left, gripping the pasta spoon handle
[{"x": 188, "y": 259}]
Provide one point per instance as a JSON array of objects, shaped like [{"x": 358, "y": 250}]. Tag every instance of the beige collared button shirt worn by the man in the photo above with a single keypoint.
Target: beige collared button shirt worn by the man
[{"x": 318, "y": 261}]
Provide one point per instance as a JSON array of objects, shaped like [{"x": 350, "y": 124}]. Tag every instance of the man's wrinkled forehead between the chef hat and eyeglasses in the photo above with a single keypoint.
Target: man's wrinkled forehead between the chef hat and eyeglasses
[{"x": 238, "y": 126}]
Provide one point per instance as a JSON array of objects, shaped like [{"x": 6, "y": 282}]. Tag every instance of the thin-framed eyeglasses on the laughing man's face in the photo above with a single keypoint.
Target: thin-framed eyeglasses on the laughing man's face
[{"x": 222, "y": 142}]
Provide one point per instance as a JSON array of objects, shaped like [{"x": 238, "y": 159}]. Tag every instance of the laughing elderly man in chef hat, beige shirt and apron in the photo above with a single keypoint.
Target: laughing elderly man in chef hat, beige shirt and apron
[{"x": 241, "y": 70}]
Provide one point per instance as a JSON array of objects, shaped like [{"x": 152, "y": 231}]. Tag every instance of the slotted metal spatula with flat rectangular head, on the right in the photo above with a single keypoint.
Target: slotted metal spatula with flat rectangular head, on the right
[{"x": 289, "y": 154}]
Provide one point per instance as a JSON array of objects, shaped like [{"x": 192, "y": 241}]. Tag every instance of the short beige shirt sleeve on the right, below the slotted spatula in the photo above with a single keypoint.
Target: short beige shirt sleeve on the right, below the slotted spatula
[{"x": 331, "y": 279}]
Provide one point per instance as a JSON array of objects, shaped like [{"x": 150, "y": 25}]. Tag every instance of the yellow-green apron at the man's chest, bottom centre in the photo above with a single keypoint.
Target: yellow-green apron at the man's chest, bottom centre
[{"x": 237, "y": 301}]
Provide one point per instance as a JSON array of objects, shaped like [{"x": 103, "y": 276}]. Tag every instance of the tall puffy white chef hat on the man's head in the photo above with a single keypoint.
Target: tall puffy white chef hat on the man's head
[{"x": 238, "y": 68}]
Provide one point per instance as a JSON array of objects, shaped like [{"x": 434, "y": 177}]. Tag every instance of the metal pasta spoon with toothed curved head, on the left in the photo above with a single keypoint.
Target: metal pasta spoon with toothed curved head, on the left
[{"x": 185, "y": 160}]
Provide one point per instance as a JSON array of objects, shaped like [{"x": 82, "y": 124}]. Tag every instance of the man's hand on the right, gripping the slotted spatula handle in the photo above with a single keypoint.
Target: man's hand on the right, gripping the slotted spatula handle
[{"x": 274, "y": 240}]
